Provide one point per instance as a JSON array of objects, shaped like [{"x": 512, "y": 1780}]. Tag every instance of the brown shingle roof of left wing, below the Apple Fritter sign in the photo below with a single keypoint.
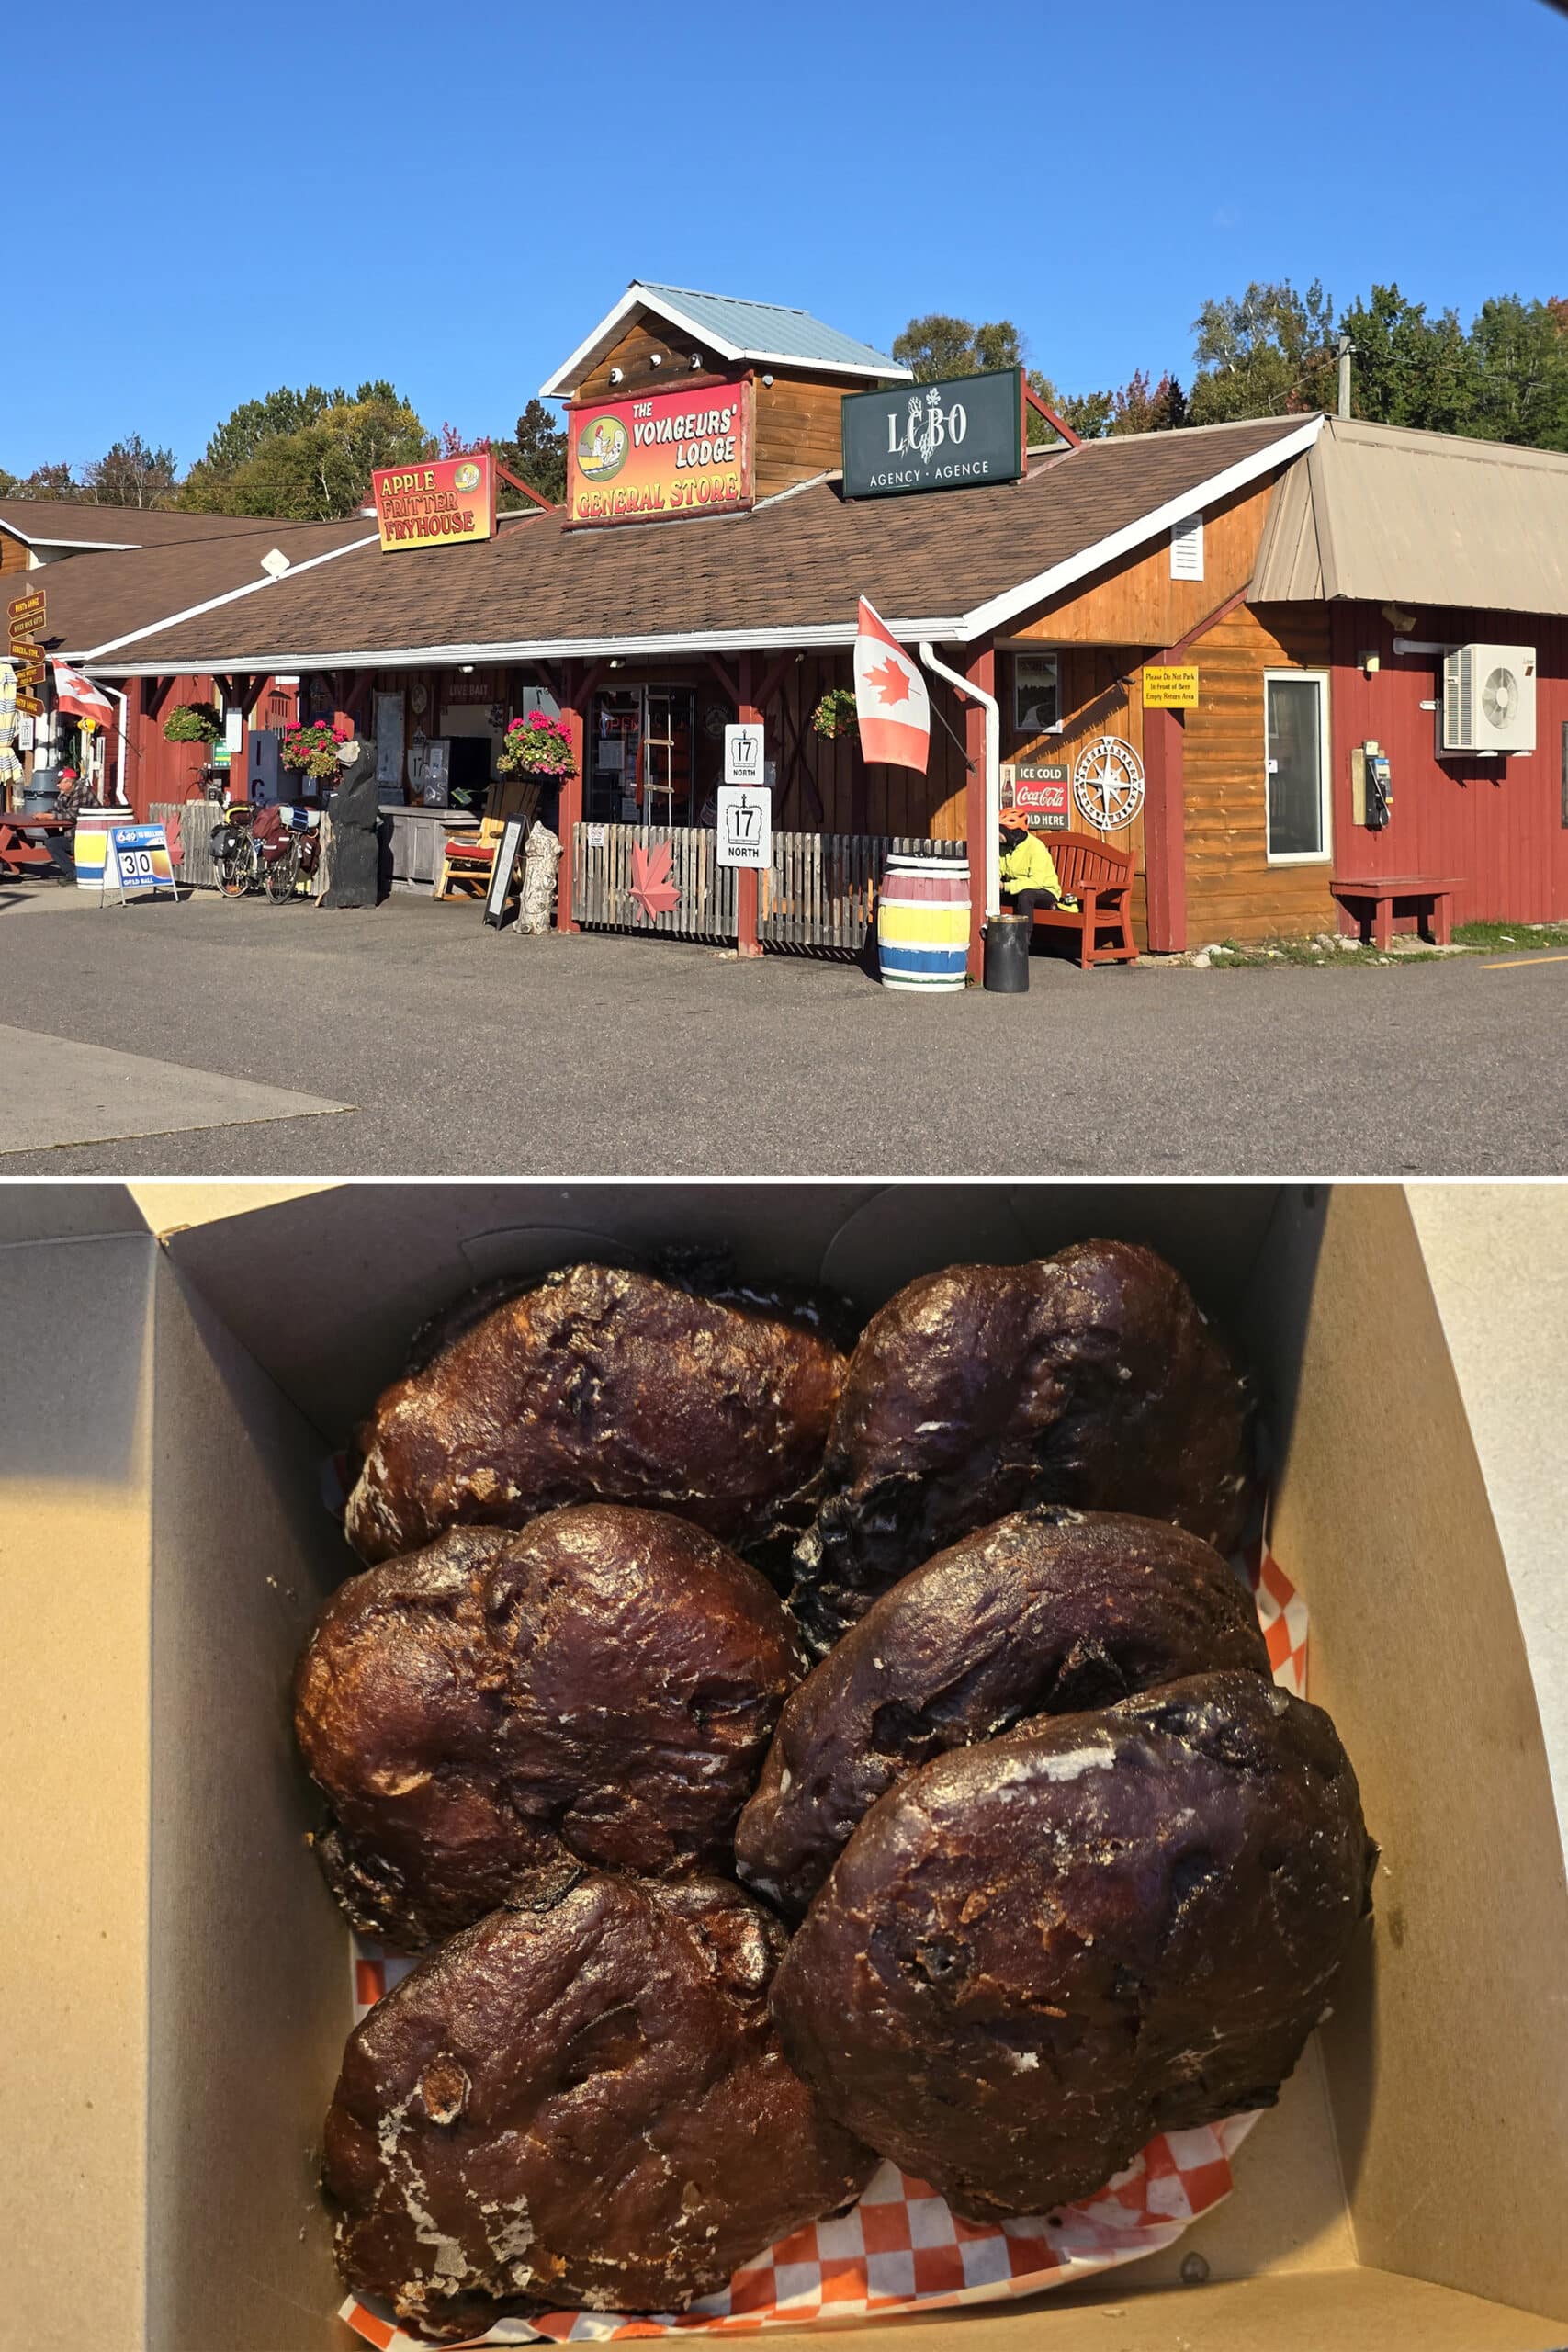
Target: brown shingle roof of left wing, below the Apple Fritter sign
[{"x": 98, "y": 599}]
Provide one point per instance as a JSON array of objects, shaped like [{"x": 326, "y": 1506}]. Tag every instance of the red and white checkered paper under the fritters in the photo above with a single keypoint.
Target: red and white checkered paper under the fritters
[{"x": 904, "y": 2250}]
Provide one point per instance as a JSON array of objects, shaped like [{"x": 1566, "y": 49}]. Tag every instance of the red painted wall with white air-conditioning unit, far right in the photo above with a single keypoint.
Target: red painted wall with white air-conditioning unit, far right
[{"x": 1496, "y": 824}]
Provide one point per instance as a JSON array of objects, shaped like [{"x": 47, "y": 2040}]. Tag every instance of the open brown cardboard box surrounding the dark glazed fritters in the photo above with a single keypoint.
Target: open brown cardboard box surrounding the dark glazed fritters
[{"x": 177, "y": 1979}]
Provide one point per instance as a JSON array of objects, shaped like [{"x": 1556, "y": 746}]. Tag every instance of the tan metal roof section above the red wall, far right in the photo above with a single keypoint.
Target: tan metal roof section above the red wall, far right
[{"x": 1381, "y": 514}]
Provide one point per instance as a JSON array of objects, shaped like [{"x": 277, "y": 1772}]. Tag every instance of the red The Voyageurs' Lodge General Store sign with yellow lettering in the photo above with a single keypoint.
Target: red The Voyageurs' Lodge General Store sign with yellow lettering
[{"x": 662, "y": 455}]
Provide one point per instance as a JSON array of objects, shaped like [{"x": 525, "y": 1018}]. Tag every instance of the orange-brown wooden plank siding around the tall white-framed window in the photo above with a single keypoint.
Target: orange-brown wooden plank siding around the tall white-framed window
[{"x": 1233, "y": 893}]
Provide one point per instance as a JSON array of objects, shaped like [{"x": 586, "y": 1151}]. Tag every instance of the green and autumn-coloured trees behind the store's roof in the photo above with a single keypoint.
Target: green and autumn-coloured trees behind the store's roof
[{"x": 1273, "y": 352}]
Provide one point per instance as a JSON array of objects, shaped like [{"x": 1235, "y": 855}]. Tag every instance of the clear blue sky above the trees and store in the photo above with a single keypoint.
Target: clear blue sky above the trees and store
[{"x": 453, "y": 199}]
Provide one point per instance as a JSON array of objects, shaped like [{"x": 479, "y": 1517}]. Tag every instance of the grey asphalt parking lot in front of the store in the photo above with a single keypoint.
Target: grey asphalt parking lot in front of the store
[{"x": 424, "y": 1045}]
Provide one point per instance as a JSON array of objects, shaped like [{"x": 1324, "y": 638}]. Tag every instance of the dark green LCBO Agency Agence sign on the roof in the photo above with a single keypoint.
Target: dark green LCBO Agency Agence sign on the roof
[{"x": 934, "y": 436}]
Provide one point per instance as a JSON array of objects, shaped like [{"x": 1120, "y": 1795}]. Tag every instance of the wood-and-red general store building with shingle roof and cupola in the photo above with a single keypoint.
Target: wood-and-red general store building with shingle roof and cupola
[{"x": 1313, "y": 580}]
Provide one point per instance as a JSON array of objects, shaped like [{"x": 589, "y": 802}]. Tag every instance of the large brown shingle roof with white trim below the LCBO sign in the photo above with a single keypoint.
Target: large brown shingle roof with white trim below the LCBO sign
[{"x": 791, "y": 568}]
